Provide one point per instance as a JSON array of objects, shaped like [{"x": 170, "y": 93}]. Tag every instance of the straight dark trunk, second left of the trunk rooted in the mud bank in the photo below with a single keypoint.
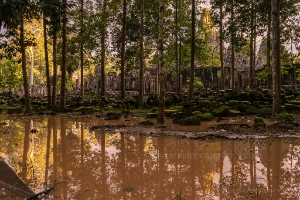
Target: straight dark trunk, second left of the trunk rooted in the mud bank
[{"x": 123, "y": 50}]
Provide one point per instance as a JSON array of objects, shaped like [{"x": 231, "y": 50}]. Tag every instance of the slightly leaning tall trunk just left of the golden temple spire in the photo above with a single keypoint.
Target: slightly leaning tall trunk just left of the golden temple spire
[{"x": 192, "y": 72}]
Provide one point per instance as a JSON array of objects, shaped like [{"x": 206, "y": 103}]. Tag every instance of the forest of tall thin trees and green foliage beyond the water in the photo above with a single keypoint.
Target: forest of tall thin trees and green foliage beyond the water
[{"x": 59, "y": 44}]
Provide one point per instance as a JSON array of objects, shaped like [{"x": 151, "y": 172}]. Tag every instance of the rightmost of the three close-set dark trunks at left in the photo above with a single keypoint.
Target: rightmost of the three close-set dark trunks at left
[{"x": 64, "y": 59}]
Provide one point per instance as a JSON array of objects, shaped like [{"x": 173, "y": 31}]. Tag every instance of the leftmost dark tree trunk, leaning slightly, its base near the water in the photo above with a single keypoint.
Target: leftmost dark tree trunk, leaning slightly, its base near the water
[{"x": 24, "y": 71}]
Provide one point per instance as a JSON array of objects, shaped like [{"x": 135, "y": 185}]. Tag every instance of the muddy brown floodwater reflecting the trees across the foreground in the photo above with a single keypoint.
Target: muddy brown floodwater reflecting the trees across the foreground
[{"x": 84, "y": 164}]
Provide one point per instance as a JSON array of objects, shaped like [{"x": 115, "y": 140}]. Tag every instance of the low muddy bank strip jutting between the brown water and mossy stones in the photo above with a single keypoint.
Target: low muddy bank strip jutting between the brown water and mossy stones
[{"x": 228, "y": 128}]
